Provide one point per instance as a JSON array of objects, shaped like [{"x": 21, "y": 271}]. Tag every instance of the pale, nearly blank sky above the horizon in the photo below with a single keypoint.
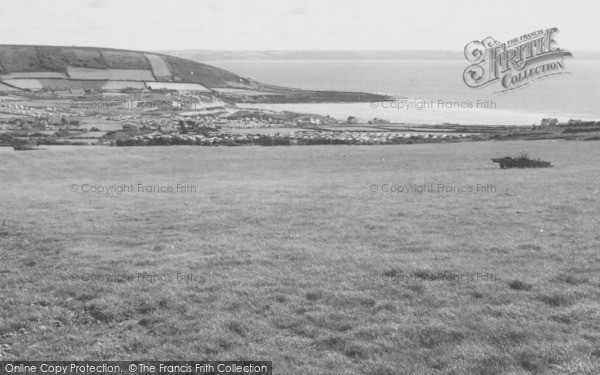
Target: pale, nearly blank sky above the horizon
[{"x": 293, "y": 24}]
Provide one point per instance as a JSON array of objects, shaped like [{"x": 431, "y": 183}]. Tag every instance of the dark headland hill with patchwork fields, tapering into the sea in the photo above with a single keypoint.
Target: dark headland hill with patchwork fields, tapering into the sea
[{"x": 58, "y": 68}]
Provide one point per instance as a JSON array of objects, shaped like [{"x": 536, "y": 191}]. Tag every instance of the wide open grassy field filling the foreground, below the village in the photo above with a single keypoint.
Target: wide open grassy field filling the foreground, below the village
[{"x": 302, "y": 256}]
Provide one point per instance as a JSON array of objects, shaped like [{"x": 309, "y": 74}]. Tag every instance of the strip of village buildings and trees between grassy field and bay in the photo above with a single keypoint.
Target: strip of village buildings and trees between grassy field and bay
[{"x": 170, "y": 117}]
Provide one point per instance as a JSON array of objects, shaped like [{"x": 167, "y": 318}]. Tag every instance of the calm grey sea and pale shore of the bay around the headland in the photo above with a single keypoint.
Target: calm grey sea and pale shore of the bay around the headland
[{"x": 429, "y": 91}]
